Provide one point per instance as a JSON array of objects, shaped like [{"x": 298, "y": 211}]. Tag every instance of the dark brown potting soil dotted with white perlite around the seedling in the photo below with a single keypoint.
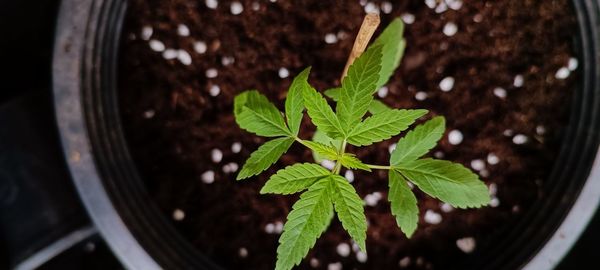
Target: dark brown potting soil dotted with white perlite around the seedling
[{"x": 177, "y": 112}]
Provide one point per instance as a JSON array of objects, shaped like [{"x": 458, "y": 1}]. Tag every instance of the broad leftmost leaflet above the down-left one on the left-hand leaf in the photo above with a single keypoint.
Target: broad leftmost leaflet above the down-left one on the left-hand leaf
[{"x": 254, "y": 113}]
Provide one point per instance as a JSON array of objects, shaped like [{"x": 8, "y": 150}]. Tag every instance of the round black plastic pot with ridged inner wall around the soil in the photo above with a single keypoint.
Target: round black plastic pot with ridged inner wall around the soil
[{"x": 85, "y": 71}]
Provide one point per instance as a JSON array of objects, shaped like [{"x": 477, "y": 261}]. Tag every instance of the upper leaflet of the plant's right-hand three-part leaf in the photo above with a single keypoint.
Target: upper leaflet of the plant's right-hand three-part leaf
[{"x": 418, "y": 141}]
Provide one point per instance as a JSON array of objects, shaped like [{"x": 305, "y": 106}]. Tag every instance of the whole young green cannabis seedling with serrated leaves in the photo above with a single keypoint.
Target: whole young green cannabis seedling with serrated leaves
[{"x": 325, "y": 192}]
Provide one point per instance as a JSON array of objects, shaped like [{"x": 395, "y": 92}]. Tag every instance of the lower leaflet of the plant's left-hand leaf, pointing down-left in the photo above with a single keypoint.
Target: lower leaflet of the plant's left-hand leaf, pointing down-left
[{"x": 264, "y": 157}]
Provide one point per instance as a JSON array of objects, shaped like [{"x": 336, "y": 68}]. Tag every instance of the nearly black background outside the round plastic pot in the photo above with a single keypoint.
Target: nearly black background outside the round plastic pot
[{"x": 38, "y": 203}]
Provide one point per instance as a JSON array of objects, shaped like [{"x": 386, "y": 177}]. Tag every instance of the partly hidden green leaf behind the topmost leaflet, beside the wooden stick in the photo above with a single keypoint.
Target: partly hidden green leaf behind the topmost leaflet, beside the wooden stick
[{"x": 393, "y": 44}]
